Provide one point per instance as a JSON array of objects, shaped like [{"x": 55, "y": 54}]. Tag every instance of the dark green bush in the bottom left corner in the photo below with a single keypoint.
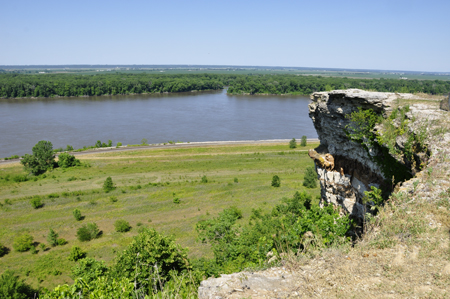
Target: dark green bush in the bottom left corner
[{"x": 11, "y": 287}]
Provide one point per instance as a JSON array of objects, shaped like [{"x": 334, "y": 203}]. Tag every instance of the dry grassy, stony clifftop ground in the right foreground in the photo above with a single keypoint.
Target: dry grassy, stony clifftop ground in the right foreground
[{"x": 404, "y": 253}]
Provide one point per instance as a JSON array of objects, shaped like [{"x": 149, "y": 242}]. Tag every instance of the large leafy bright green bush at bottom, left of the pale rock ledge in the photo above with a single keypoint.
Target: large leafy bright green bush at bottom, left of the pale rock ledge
[{"x": 150, "y": 255}]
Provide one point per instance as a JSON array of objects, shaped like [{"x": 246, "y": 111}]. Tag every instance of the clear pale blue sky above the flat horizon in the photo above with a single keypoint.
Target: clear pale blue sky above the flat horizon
[{"x": 376, "y": 34}]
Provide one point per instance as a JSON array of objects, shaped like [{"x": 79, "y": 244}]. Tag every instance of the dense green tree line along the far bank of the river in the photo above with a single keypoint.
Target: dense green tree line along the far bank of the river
[{"x": 51, "y": 85}]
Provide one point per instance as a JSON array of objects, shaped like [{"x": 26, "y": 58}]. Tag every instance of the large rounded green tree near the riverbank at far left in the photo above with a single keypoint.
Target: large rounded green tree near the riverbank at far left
[{"x": 41, "y": 159}]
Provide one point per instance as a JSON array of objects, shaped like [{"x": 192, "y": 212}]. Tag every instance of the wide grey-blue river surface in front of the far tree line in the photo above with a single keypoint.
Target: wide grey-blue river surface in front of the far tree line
[{"x": 202, "y": 116}]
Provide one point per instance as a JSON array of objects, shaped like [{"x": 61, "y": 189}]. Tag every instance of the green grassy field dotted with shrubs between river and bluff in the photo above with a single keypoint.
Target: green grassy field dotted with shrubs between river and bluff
[{"x": 147, "y": 182}]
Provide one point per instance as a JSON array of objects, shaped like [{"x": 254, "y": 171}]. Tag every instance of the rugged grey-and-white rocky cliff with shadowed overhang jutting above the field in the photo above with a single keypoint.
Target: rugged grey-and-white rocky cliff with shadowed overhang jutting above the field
[{"x": 358, "y": 164}]
